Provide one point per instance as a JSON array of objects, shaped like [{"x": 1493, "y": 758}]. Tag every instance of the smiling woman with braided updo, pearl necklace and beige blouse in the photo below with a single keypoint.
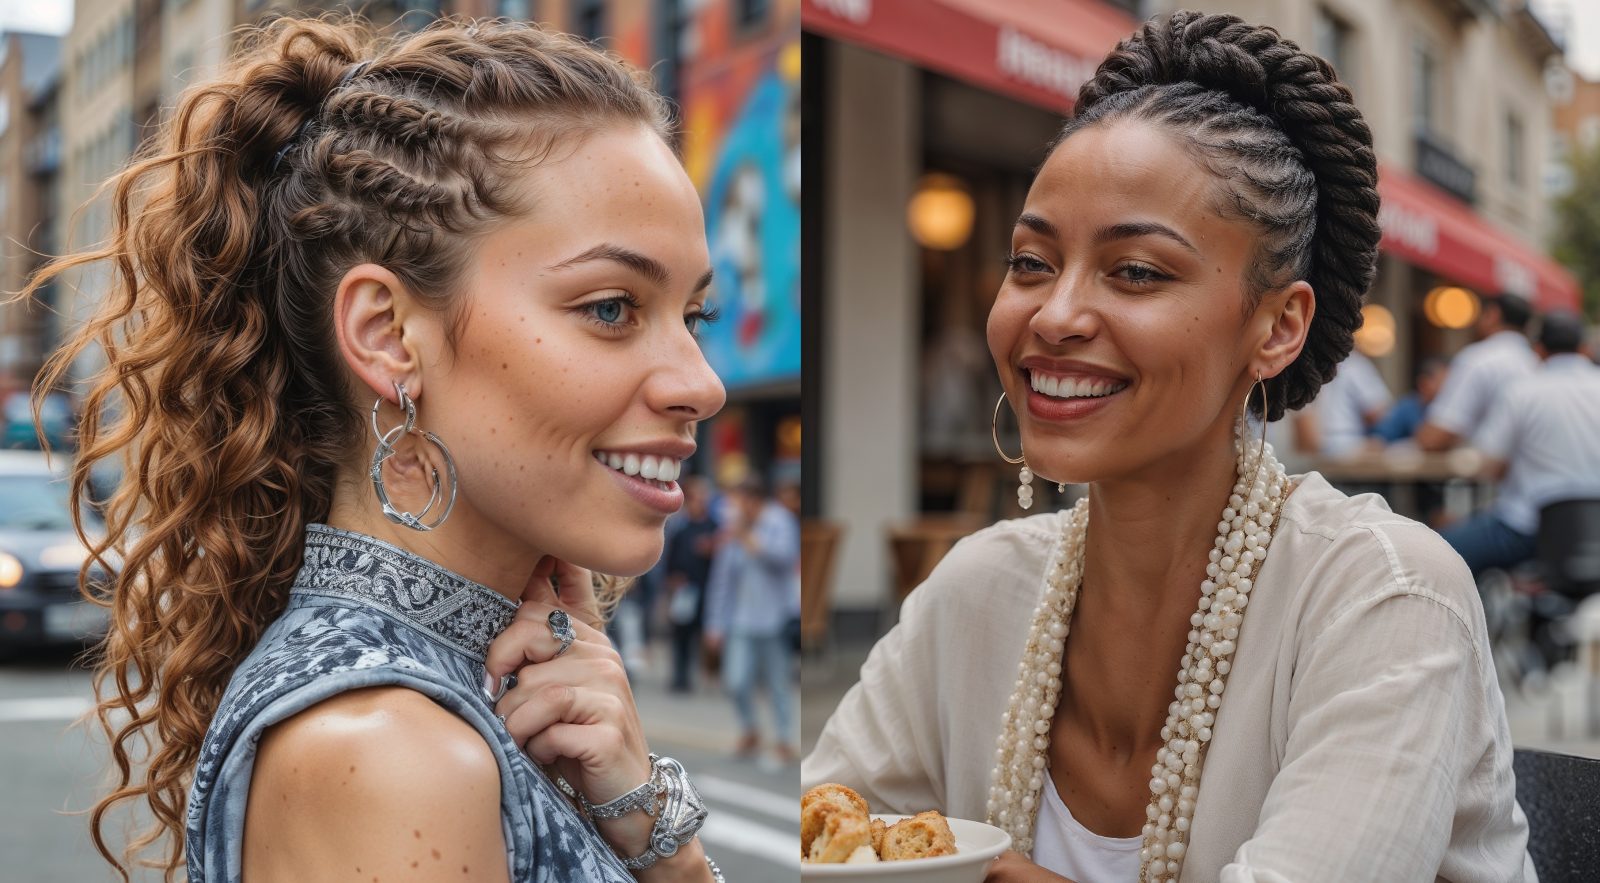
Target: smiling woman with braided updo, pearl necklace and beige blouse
[{"x": 1194, "y": 250}]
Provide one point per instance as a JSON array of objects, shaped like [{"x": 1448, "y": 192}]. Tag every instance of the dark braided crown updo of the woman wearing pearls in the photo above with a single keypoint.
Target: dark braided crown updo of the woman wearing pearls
[{"x": 1289, "y": 150}]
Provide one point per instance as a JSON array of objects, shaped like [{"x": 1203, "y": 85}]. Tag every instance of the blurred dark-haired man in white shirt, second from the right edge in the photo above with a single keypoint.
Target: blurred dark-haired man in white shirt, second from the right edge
[{"x": 1479, "y": 372}]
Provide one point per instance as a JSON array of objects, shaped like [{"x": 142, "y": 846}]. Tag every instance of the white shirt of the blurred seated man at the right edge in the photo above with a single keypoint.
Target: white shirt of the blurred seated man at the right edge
[{"x": 1548, "y": 430}]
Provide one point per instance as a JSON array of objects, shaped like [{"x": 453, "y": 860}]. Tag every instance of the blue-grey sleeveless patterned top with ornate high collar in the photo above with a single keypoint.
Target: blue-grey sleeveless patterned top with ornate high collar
[{"x": 366, "y": 613}]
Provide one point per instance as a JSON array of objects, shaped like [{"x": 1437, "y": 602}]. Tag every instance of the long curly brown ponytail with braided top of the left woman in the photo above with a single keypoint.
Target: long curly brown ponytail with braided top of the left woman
[{"x": 223, "y": 391}]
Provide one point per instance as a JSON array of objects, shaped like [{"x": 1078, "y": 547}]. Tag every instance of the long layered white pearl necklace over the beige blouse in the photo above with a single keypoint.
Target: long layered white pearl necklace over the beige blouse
[{"x": 1022, "y": 761}]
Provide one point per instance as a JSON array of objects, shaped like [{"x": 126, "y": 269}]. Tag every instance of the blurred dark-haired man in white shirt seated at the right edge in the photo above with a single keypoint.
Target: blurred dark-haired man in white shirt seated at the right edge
[{"x": 1543, "y": 441}]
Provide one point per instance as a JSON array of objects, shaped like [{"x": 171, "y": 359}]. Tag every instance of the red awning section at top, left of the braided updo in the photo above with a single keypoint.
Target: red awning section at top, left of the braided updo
[{"x": 1034, "y": 50}]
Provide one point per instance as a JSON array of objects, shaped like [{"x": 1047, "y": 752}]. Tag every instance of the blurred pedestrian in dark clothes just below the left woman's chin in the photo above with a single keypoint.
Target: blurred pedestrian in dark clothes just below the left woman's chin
[{"x": 690, "y": 551}]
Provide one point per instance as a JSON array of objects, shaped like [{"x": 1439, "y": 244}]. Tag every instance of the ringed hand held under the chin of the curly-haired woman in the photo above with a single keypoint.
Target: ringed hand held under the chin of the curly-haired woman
[{"x": 574, "y": 711}]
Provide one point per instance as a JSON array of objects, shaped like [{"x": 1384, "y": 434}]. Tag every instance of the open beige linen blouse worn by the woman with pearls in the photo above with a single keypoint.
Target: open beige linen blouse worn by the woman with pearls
[{"x": 1364, "y": 735}]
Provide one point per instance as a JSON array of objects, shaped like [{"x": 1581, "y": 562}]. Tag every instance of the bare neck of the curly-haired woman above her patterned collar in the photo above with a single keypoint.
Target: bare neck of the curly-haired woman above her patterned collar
[{"x": 466, "y": 543}]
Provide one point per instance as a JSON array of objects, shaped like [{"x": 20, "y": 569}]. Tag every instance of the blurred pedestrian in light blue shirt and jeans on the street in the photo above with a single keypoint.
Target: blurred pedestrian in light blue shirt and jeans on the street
[{"x": 748, "y": 612}]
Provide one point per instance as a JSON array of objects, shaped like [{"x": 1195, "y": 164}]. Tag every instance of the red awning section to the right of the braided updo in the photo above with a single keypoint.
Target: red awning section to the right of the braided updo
[{"x": 1436, "y": 231}]
